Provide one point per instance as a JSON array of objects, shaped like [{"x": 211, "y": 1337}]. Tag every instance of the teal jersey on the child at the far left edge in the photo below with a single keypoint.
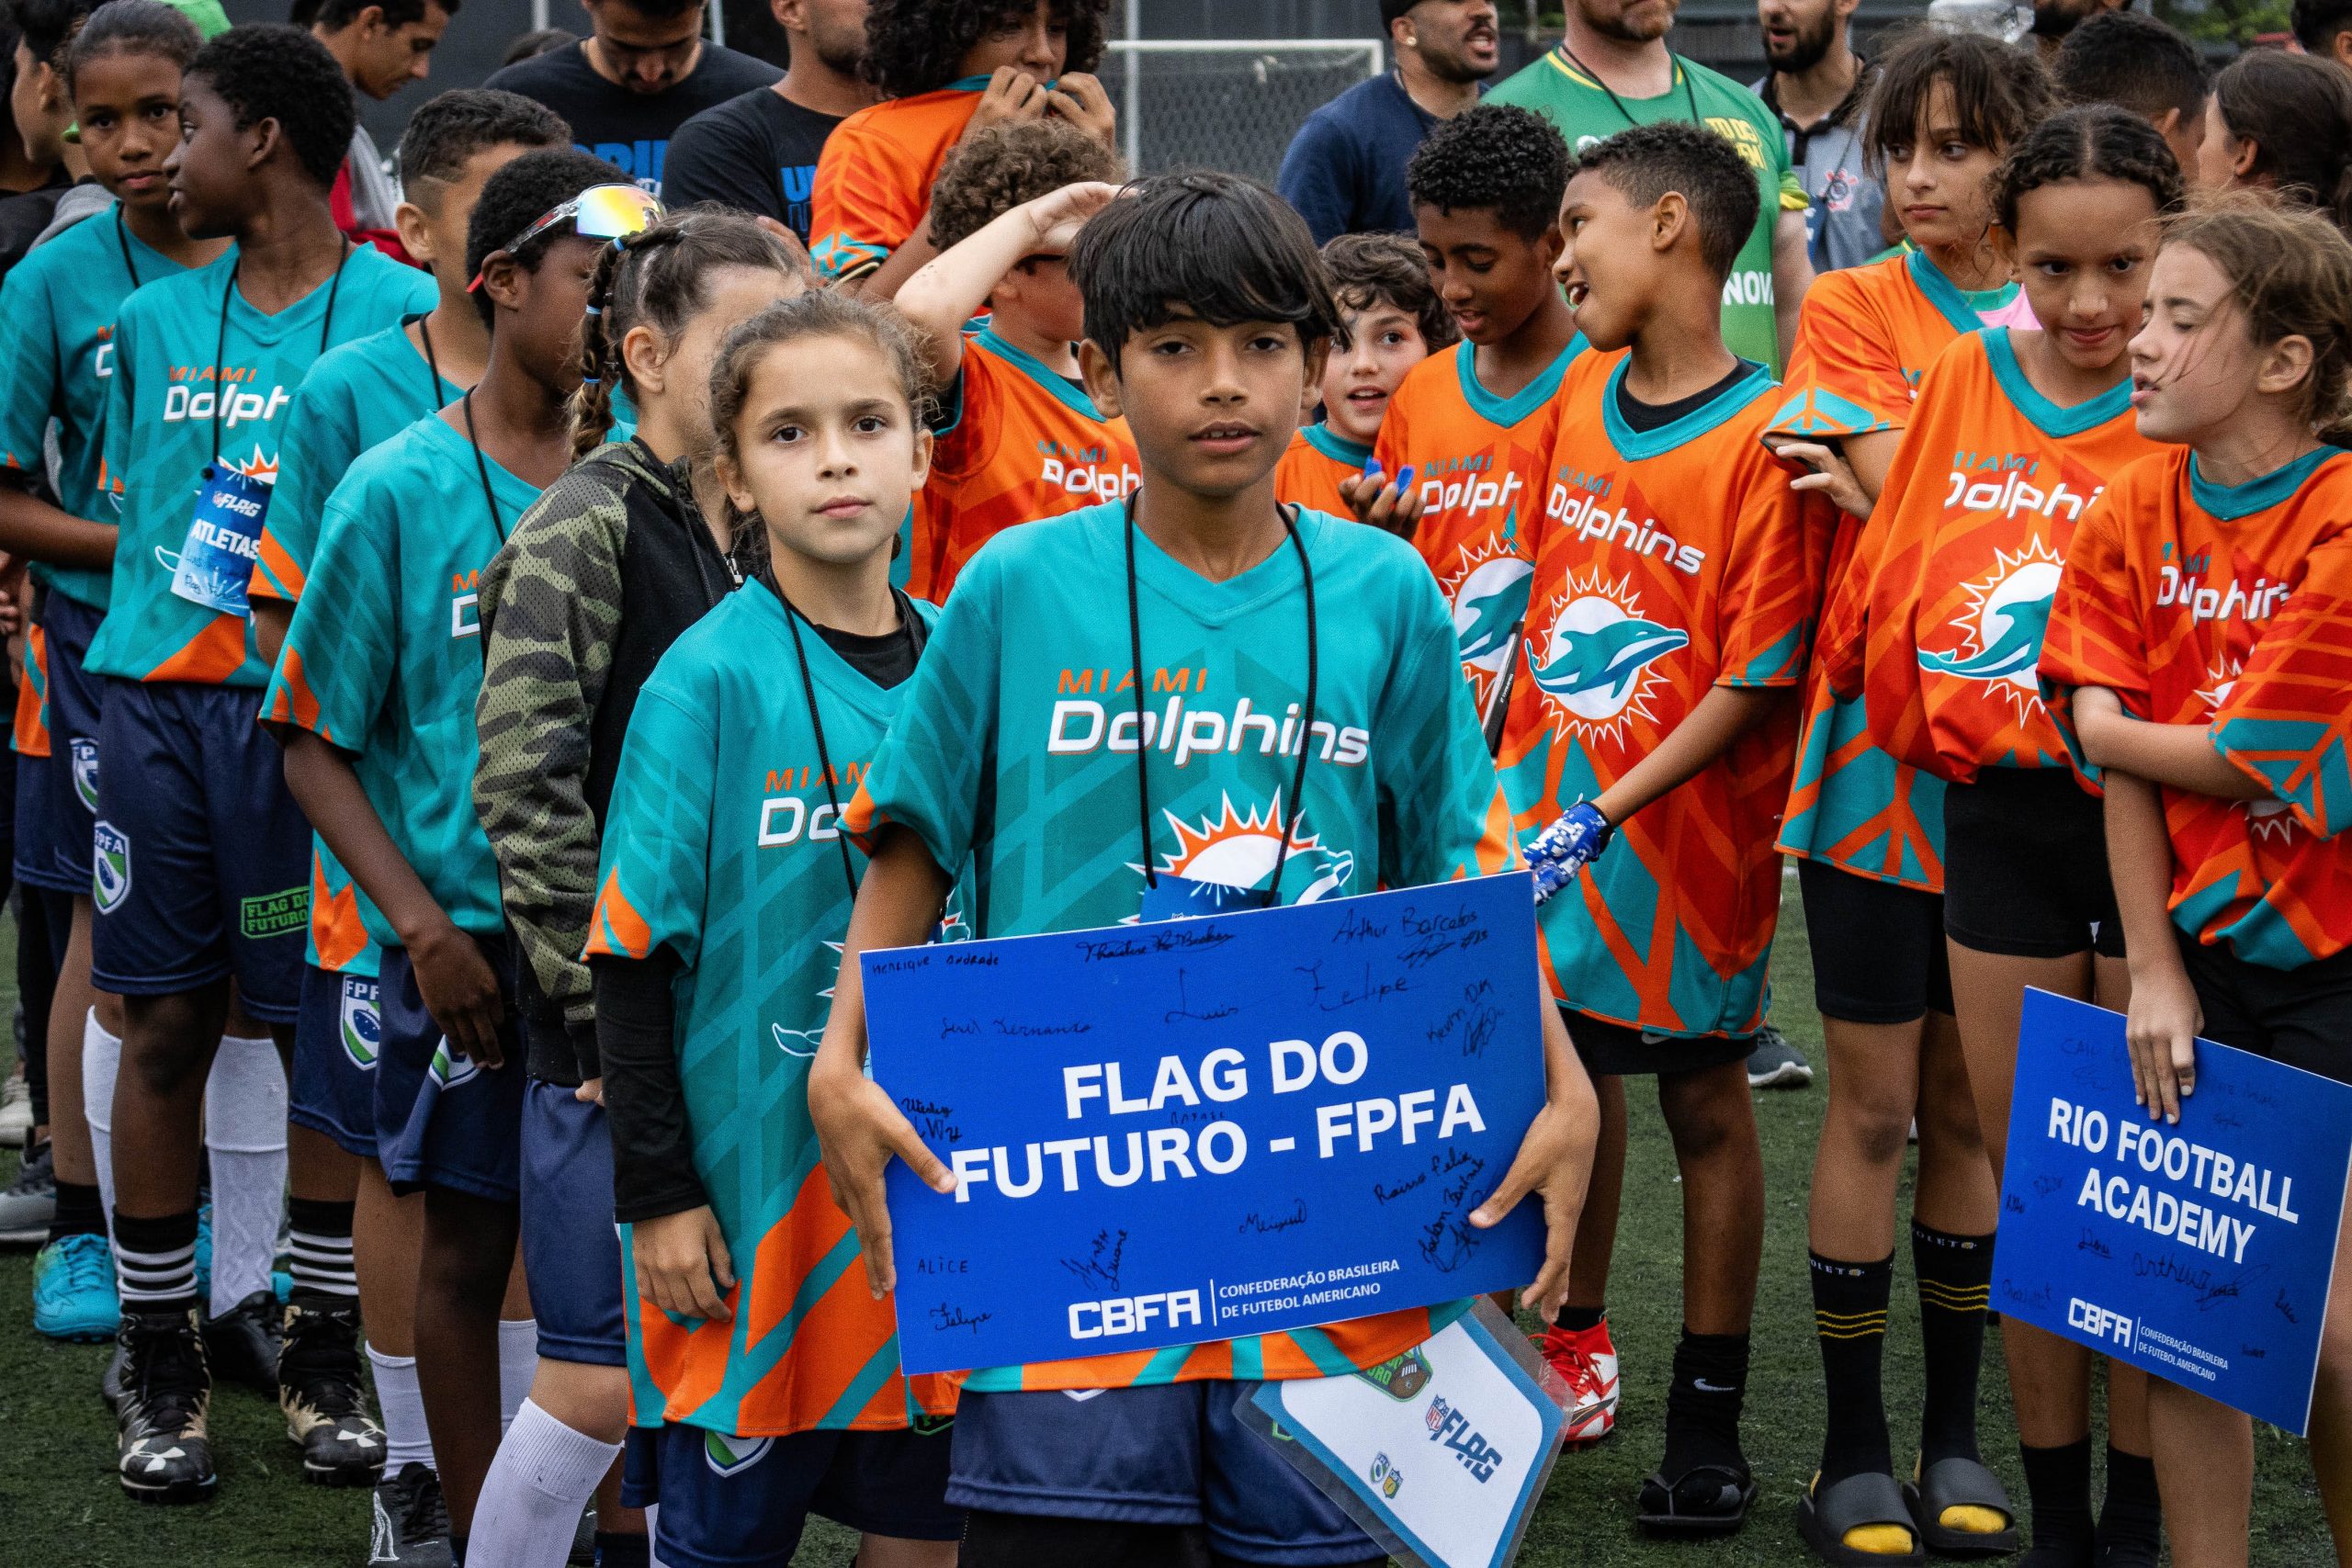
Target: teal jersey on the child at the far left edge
[{"x": 55, "y": 361}]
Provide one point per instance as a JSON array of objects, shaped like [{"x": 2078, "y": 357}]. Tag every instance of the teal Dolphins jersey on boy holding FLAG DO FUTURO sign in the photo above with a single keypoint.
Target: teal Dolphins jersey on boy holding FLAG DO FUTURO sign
[{"x": 1017, "y": 749}]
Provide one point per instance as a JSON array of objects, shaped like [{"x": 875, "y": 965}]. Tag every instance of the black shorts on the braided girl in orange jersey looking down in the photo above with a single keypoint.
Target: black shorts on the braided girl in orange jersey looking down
[{"x": 2026, "y": 866}]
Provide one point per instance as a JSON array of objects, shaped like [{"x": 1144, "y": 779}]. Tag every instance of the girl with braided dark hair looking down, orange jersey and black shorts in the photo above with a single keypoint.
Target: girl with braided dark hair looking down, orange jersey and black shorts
[{"x": 1944, "y": 610}]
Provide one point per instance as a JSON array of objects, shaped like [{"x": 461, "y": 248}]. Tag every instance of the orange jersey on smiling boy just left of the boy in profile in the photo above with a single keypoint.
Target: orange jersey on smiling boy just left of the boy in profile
[{"x": 1478, "y": 464}]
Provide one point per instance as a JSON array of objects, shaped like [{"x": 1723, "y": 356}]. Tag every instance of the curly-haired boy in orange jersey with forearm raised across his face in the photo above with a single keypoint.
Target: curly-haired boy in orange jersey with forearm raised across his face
[{"x": 1020, "y": 436}]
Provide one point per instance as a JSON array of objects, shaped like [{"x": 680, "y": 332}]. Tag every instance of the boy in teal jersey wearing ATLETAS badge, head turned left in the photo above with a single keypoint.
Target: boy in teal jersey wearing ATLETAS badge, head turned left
[{"x": 201, "y": 850}]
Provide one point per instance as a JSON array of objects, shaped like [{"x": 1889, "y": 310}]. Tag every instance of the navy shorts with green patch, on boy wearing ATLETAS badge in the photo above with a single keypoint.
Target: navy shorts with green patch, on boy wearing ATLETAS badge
[{"x": 203, "y": 859}]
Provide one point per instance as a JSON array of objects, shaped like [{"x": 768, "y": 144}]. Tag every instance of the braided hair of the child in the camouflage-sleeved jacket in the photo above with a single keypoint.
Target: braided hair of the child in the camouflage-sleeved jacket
[{"x": 662, "y": 279}]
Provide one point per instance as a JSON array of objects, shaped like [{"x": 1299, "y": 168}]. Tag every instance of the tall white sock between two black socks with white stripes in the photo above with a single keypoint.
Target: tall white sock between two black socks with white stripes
[{"x": 246, "y": 1134}]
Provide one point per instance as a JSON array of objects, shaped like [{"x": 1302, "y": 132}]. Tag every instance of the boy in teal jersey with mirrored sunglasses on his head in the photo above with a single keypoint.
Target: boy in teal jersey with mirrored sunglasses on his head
[{"x": 375, "y": 699}]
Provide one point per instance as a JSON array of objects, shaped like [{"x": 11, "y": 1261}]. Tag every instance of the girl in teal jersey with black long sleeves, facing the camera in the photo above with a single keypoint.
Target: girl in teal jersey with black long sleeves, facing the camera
[{"x": 723, "y": 904}]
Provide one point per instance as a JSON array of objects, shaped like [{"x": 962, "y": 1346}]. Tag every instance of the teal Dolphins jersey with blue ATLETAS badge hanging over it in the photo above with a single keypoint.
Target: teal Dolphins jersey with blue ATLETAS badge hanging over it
[{"x": 161, "y": 410}]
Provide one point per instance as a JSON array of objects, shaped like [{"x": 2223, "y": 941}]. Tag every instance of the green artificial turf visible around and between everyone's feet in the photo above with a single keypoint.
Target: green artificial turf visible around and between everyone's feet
[{"x": 62, "y": 1508}]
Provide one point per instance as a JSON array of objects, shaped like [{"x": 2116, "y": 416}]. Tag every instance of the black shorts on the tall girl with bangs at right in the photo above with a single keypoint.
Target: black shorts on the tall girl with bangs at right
[{"x": 1878, "y": 946}]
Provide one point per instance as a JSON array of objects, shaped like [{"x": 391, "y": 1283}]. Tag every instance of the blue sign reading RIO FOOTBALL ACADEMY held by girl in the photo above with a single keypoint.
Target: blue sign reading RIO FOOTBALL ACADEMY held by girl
[{"x": 2200, "y": 1252}]
